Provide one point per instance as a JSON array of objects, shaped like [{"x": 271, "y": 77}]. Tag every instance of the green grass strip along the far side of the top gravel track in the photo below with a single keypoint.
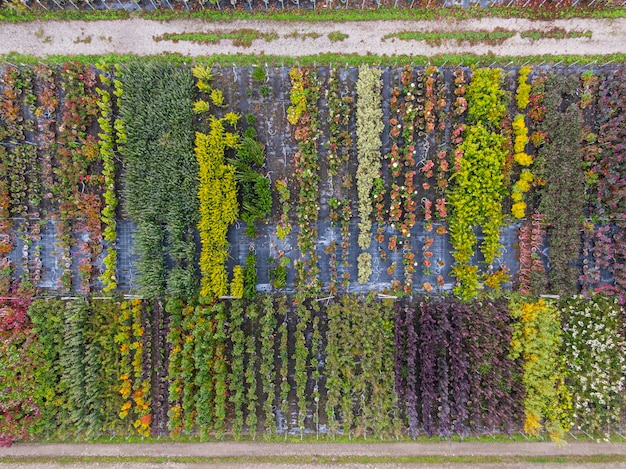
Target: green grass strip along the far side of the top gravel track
[{"x": 336, "y": 16}]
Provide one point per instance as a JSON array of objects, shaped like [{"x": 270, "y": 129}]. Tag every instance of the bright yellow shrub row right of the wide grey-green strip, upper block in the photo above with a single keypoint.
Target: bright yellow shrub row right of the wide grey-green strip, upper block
[{"x": 217, "y": 193}]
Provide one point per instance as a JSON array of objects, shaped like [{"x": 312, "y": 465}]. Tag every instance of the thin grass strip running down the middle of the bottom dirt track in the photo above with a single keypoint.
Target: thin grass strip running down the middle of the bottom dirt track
[{"x": 295, "y": 460}]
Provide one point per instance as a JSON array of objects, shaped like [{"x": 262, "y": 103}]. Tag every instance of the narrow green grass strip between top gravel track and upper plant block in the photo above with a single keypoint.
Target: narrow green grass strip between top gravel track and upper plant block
[{"x": 328, "y": 59}]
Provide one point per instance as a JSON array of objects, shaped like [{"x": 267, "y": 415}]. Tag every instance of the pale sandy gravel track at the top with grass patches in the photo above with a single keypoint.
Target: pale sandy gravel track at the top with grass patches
[{"x": 137, "y": 36}]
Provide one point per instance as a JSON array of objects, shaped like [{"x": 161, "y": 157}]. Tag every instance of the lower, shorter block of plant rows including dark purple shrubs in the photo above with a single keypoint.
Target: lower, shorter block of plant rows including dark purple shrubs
[{"x": 355, "y": 367}]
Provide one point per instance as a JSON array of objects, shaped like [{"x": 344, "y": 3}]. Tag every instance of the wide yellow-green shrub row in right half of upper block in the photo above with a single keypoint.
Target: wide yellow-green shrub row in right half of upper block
[{"x": 478, "y": 188}]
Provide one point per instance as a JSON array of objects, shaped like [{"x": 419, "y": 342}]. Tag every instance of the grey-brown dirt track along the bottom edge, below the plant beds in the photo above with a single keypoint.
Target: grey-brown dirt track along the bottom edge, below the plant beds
[{"x": 393, "y": 451}]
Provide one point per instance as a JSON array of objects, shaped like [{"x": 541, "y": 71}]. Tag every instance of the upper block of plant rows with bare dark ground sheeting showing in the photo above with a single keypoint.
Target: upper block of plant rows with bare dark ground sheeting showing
[{"x": 312, "y": 181}]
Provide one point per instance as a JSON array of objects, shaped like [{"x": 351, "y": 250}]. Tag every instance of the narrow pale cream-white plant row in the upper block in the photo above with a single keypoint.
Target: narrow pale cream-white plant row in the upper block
[{"x": 369, "y": 126}]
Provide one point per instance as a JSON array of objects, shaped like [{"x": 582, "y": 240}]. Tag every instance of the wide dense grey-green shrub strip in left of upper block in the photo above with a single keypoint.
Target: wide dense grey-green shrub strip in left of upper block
[{"x": 161, "y": 183}]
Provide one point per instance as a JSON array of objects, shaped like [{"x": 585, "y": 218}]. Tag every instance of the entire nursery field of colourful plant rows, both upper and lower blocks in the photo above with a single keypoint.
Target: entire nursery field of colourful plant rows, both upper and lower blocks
[{"x": 244, "y": 251}]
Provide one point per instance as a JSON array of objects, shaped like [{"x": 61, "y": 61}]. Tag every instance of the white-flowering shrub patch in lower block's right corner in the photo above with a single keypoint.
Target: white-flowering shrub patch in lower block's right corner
[{"x": 594, "y": 351}]
